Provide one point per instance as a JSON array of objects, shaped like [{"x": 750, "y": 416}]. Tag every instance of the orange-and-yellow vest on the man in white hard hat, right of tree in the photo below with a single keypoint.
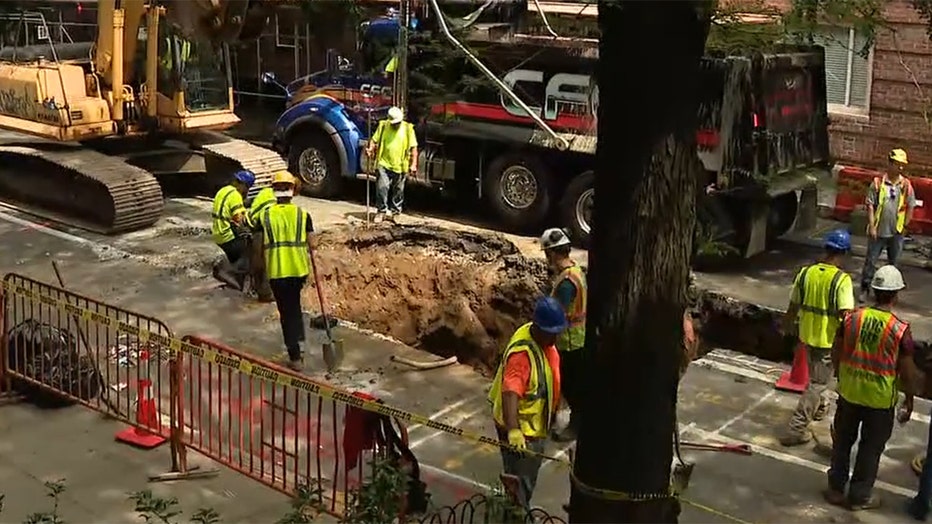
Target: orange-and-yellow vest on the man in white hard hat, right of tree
[{"x": 867, "y": 368}]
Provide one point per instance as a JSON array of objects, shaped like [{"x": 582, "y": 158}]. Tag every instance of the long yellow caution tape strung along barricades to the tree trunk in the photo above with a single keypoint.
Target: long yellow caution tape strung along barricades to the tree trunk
[{"x": 288, "y": 379}]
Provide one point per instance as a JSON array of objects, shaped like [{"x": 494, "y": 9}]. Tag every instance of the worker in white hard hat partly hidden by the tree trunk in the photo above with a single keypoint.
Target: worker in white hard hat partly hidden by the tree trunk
[{"x": 569, "y": 289}]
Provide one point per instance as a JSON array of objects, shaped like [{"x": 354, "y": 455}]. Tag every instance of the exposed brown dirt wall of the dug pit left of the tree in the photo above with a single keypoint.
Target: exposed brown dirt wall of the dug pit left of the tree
[{"x": 447, "y": 292}]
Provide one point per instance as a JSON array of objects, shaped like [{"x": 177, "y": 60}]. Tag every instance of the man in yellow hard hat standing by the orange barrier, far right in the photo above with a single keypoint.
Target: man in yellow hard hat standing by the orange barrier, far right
[{"x": 890, "y": 204}]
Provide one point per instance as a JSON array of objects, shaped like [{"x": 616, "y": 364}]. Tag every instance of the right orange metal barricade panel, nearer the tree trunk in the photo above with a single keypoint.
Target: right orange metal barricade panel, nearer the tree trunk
[{"x": 263, "y": 421}]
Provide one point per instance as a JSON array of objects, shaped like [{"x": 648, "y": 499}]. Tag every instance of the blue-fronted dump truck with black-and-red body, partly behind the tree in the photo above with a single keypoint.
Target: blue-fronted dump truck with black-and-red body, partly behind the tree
[{"x": 514, "y": 124}]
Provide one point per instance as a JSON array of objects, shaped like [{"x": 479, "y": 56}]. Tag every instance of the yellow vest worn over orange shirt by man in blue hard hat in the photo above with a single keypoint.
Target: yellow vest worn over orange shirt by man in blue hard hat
[{"x": 534, "y": 409}]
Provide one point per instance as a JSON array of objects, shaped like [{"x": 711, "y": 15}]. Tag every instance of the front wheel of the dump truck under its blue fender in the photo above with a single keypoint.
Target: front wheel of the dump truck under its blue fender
[{"x": 311, "y": 158}]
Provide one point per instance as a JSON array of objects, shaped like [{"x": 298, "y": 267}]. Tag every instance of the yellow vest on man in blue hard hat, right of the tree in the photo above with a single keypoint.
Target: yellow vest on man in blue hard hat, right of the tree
[{"x": 817, "y": 286}]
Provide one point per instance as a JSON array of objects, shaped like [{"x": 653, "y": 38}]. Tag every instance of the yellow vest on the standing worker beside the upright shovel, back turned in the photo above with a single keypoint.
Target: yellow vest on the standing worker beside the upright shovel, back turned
[{"x": 285, "y": 237}]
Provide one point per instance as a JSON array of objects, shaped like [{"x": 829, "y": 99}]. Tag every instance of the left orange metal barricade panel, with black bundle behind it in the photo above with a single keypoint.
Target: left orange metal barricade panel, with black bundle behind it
[{"x": 61, "y": 347}]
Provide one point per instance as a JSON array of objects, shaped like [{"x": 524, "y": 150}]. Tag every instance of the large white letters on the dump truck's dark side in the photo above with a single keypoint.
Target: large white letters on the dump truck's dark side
[{"x": 562, "y": 93}]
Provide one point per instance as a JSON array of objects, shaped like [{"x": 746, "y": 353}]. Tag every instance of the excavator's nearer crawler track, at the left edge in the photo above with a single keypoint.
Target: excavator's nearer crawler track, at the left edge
[{"x": 79, "y": 186}]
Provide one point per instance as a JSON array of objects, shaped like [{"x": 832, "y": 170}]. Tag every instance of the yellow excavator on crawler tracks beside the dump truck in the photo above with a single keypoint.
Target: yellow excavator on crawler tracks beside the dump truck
[{"x": 108, "y": 120}]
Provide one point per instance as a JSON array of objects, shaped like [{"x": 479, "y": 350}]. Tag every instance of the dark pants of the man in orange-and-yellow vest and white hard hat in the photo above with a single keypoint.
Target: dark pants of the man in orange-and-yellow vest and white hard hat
[{"x": 875, "y": 427}]
